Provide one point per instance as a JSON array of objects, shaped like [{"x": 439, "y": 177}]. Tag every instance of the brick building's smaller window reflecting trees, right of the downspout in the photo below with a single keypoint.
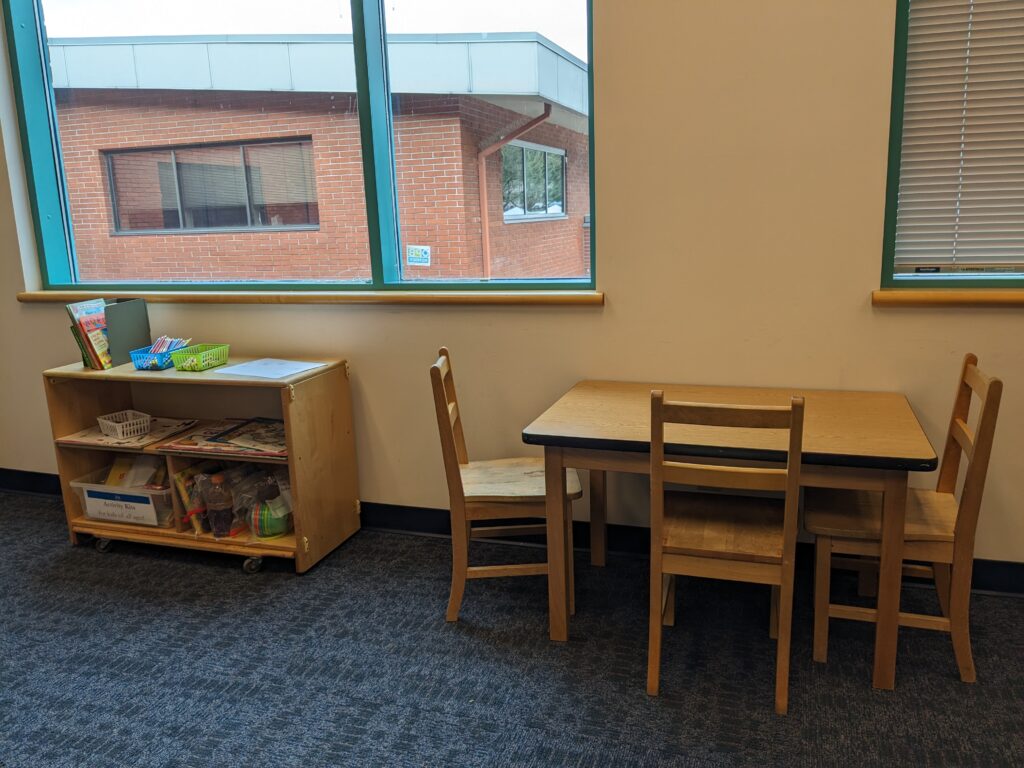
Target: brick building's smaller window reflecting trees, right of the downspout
[{"x": 533, "y": 182}]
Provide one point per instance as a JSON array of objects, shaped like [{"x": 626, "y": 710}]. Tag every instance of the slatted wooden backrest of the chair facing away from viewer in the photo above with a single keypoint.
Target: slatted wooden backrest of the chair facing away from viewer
[{"x": 786, "y": 480}]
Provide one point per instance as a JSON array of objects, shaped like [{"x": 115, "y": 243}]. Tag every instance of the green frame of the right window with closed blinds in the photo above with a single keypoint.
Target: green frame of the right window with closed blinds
[{"x": 890, "y": 279}]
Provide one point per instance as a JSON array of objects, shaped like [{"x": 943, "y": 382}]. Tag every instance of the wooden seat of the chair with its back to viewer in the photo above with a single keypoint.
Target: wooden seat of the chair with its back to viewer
[{"x": 732, "y": 528}]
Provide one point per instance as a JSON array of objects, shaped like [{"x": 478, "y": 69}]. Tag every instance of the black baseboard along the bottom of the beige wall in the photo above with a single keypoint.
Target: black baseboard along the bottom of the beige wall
[{"x": 994, "y": 576}]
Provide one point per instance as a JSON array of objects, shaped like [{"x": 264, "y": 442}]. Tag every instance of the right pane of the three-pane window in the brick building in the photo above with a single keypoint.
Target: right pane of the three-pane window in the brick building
[{"x": 282, "y": 185}]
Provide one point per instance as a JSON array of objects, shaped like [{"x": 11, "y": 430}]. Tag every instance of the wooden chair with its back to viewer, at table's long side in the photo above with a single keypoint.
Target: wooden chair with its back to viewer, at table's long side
[{"x": 714, "y": 536}]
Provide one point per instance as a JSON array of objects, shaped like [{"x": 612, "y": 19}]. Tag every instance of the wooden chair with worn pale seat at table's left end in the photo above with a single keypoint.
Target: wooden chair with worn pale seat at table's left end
[{"x": 490, "y": 491}]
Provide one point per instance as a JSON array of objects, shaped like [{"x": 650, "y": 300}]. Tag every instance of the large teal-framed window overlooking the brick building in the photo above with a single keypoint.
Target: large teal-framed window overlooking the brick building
[{"x": 185, "y": 144}]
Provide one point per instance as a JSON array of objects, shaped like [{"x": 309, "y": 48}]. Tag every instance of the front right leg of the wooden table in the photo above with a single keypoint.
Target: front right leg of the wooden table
[{"x": 890, "y": 581}]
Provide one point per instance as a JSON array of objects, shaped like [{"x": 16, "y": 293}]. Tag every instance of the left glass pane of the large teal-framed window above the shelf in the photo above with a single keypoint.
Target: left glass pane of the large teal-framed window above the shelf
[{"x": 214, "y": 94}]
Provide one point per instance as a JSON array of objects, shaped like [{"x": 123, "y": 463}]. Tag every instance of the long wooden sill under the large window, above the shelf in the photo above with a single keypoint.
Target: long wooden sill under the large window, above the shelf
[{"x": 564, "y": 298}]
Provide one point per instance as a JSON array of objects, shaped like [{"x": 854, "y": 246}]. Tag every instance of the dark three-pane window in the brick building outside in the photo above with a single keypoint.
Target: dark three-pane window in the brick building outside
[{"x": 238, "y": 187}]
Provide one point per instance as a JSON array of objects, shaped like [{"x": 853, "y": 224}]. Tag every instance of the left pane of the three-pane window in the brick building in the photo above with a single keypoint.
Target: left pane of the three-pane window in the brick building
[{"x": 145, "y": 191}]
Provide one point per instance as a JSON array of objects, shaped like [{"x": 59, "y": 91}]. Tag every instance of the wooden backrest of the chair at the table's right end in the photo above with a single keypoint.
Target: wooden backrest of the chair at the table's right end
[{"x": 977, "y": 446}]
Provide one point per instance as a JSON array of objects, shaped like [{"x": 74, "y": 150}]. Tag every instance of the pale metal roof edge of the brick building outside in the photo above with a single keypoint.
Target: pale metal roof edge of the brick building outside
[{"x": 503, "y": 64}]
